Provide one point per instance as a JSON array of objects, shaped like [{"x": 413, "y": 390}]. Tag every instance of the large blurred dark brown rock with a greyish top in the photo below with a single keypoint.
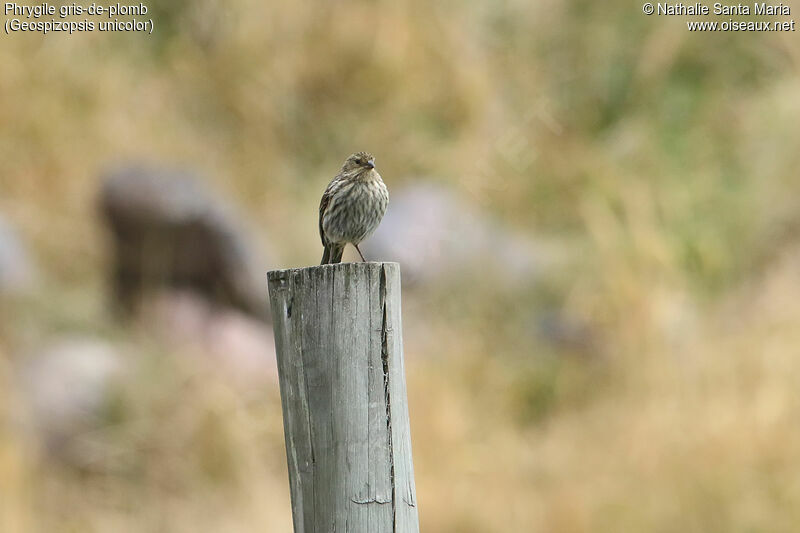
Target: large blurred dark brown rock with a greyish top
[{"x": 168, "y": 231}]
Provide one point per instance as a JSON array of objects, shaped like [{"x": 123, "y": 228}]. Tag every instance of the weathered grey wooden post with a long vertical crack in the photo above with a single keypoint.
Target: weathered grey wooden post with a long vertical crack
[{"x": 339, "y": 343}]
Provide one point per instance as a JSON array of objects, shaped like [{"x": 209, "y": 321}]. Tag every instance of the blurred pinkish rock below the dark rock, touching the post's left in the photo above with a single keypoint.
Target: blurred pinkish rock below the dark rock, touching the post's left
[{"x": 234, "y": 342}]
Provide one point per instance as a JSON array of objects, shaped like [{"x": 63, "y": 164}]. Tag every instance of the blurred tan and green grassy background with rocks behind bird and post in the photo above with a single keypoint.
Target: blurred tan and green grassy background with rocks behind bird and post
[{"x": 597, "y": 216}]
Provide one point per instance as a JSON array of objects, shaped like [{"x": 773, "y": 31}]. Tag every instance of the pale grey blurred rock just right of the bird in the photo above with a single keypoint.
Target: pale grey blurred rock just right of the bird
[{"x": 433, "y": 233}]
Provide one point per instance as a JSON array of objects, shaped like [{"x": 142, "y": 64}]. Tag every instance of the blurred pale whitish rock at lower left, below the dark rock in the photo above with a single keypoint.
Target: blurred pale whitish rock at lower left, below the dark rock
[{"x": 67, "y": 386}]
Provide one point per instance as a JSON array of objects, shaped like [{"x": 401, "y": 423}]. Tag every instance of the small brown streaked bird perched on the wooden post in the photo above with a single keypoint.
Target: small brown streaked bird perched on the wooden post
[{"x": 352, "y": 206}]
